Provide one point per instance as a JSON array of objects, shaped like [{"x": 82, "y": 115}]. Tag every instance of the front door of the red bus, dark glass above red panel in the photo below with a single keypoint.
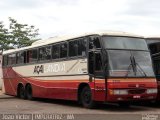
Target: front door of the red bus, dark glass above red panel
[{"x": 97, "y": 75}]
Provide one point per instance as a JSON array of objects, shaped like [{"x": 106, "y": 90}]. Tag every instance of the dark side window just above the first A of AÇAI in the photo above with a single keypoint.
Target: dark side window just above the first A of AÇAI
[{"x": 32, "y": 55}]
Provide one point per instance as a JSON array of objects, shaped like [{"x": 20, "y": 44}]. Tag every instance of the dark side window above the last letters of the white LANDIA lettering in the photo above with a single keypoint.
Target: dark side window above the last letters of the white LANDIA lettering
[{"x": 63, "y": 50}]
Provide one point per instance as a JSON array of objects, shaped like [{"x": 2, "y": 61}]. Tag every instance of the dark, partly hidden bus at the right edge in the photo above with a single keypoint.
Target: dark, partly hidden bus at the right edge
[{"x": 154, "y": 46}]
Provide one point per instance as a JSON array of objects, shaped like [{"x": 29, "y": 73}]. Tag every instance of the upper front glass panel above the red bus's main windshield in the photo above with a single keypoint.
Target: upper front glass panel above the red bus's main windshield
[{"x": 111, "y": 42}]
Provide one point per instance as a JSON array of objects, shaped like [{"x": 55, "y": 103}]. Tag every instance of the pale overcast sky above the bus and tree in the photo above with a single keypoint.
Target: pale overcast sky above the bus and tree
[{"x": 62, "y": 17}]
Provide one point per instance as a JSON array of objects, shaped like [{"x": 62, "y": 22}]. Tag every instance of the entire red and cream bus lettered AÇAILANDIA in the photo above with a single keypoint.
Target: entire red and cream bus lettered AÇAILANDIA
[{"x": 95, "y": 67}]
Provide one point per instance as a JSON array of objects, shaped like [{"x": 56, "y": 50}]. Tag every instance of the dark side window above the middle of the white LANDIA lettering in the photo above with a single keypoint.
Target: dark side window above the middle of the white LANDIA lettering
[{"x": 55, "y": 51}]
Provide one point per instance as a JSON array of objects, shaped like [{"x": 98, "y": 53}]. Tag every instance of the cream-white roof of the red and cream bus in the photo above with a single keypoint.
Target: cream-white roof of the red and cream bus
[{"x": 64, "y": 38}]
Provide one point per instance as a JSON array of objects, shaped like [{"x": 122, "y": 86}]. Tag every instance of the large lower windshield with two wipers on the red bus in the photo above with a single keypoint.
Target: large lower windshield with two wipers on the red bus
[{"x": 130, "y": 64}]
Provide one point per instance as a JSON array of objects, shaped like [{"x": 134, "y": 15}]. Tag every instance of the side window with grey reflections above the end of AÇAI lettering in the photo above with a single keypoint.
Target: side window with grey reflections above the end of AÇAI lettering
[{"x": 45, "y": 53}]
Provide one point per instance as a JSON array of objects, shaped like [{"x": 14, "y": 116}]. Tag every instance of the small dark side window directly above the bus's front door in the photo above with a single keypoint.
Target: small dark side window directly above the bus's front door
[{"x": 94, "y": 43}]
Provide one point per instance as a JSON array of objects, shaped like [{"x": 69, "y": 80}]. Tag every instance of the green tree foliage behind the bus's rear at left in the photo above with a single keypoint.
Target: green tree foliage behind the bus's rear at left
[{"x": 17, "y": 35}]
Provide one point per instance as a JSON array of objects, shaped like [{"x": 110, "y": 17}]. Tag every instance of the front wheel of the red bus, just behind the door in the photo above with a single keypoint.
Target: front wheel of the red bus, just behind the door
[{"x": 86, "y": 98}]
